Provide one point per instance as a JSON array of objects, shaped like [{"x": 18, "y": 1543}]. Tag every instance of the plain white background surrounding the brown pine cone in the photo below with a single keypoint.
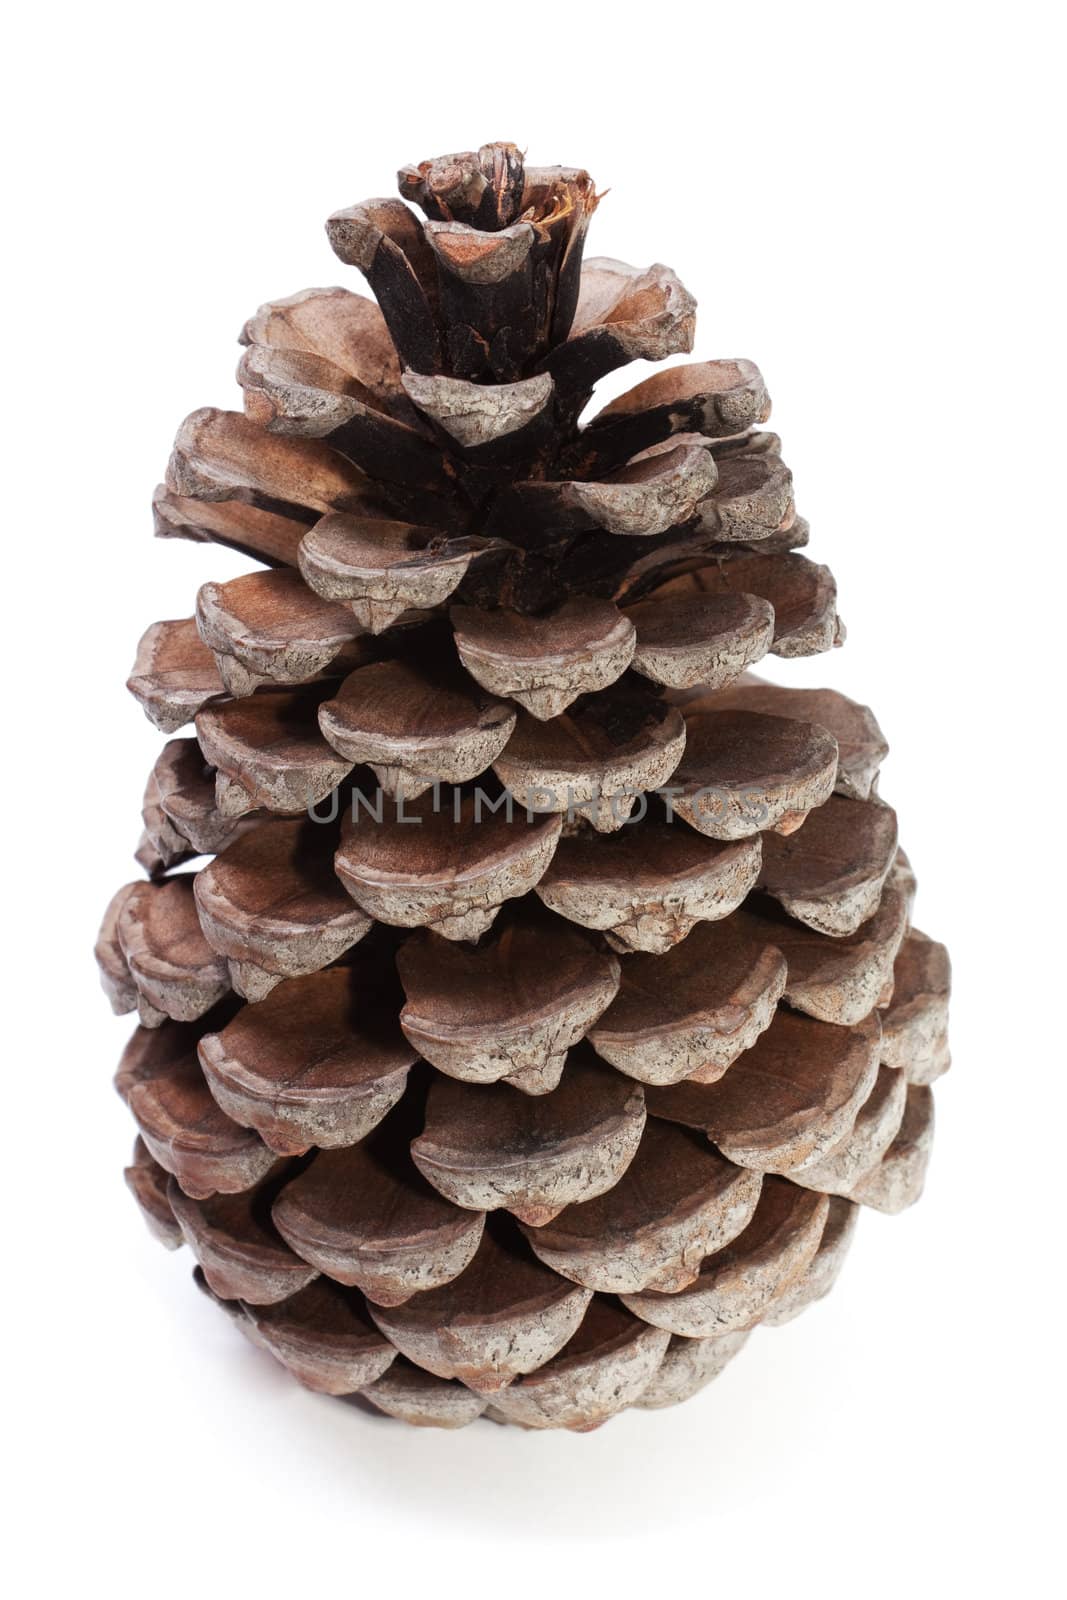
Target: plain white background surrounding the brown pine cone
[{"x": 866, "y": 202}]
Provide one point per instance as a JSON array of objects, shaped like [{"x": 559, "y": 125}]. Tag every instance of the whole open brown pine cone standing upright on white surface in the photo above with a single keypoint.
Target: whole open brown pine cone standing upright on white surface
[{"x": 549, "y": 1007}]
